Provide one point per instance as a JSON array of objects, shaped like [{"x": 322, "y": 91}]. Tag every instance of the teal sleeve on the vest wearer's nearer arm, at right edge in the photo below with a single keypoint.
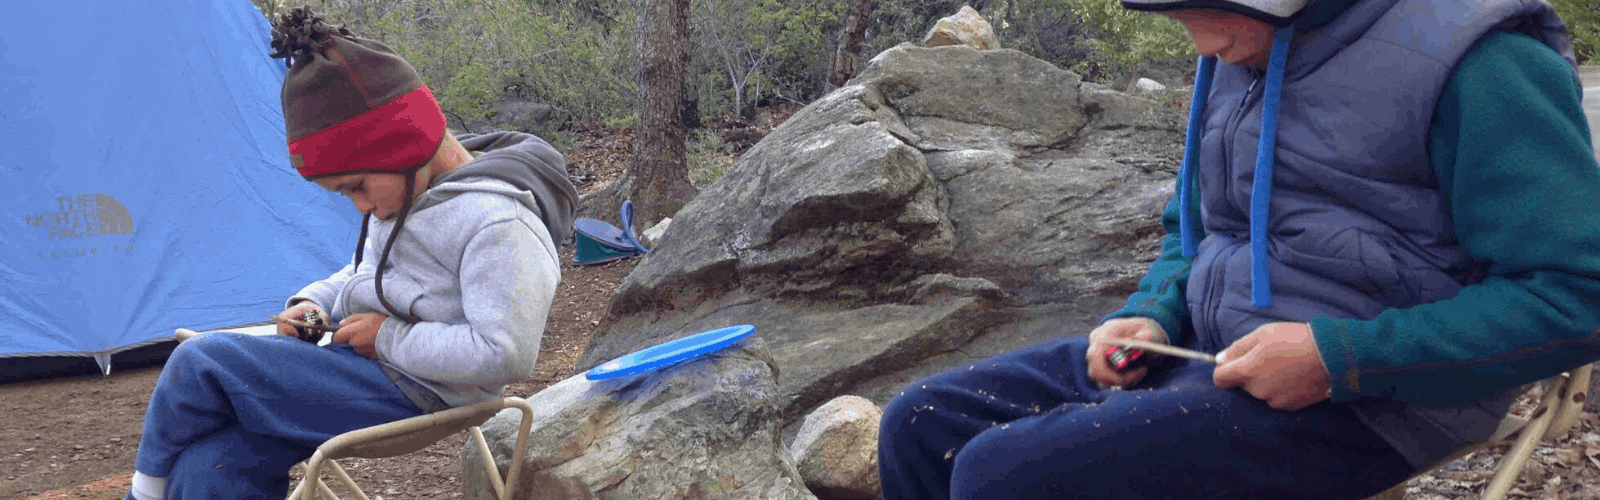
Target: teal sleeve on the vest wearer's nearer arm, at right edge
[{"x": 1516, "y": 166}]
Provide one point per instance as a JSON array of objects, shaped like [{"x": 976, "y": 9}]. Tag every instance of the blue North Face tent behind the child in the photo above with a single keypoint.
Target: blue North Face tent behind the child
[{"x": 146, "y": 182}]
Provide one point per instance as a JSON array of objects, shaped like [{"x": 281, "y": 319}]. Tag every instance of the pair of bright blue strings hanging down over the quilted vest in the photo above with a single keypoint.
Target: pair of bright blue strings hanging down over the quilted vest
[{"x": 1262, "y": 188}]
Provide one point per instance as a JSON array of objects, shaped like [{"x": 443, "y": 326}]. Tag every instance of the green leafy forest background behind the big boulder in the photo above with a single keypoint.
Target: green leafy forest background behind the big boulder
[{"x": 582, "y": 57}]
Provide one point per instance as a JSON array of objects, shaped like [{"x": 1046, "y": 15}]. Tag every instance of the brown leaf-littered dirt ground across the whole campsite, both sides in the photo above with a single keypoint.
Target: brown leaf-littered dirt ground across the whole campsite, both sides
[{"x": 76, "y": 438}]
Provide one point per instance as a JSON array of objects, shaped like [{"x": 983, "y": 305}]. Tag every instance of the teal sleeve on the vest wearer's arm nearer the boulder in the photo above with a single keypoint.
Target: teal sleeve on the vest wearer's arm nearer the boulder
[{"x": 1161, "y": 296}]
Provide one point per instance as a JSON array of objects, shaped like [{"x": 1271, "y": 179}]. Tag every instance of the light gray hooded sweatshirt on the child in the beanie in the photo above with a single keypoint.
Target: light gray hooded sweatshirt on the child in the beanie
[{"x": 476, "y": 262}]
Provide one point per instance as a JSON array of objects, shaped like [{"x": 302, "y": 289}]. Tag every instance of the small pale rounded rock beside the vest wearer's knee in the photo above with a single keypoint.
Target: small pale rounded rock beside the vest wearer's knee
[{"x": 838, "y": 450}]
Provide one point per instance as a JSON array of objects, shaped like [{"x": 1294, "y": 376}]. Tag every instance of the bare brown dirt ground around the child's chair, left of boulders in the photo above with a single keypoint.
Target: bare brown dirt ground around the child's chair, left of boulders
[{"x": 76, "y": 438}]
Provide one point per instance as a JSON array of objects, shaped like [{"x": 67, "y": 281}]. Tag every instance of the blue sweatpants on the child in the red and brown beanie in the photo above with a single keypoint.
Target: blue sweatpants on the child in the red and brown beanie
[{"x": 234, "y": 413}]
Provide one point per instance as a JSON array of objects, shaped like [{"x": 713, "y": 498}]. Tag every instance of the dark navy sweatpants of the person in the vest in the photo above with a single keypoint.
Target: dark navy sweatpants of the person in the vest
[{"x": 1033, "y": 424}]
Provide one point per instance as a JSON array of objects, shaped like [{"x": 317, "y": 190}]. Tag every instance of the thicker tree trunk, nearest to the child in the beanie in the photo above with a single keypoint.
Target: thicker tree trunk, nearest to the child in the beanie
[{"x": 657, "y": 180}]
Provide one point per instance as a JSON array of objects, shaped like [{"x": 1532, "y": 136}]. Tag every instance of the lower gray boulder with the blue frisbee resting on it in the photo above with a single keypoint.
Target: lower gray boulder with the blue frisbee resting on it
[{"x": 706, "y": 429}]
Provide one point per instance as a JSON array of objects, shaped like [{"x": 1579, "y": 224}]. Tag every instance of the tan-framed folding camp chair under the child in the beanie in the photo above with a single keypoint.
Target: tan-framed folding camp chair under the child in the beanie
[{"x": 407, "y": 437}]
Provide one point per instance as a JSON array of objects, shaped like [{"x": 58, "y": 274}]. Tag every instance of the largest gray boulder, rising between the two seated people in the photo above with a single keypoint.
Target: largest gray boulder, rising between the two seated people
[{"x": 945, "y": 206}]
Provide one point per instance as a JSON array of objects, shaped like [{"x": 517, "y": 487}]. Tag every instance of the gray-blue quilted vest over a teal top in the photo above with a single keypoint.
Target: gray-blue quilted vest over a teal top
[{"x": 1356, "y": 222}]
